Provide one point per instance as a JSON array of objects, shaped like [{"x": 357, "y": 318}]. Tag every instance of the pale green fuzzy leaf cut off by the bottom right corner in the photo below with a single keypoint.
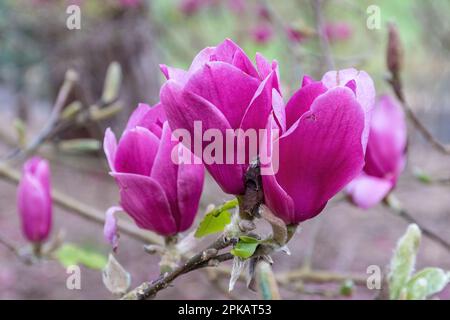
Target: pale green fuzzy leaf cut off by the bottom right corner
[{"x": 426, "y": 283}]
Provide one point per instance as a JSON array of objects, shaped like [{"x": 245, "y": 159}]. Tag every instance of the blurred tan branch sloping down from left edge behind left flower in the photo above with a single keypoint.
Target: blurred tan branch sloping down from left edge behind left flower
[{"x": 85, "y": 211}]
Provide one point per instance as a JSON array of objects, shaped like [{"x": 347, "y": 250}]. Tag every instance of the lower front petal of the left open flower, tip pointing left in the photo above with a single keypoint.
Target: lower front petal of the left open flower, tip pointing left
[{"x": 145, "y": 201}]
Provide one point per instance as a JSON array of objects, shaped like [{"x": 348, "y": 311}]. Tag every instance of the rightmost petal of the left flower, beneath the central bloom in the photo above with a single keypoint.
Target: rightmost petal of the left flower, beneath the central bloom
[{"x": 189, "y": 186}]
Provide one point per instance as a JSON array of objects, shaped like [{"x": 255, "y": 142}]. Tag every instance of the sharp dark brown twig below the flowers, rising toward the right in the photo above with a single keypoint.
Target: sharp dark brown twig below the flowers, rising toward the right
[{"x": 205, "y": 258}]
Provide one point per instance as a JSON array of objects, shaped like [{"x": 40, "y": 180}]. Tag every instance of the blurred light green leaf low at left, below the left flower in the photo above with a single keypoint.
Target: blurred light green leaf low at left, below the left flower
[{"x": 71, "y": 254}]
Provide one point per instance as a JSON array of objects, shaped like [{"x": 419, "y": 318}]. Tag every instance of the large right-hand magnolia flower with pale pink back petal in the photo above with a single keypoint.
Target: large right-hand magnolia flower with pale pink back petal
[{"x": 323, "y": 146}]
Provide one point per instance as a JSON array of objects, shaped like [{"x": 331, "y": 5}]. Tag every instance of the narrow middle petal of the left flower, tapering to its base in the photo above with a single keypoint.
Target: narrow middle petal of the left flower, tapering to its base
[{"x": 165, "y": 170}]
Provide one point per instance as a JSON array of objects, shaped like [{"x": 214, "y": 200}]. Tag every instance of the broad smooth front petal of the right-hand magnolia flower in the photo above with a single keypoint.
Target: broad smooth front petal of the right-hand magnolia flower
[{"x": 327, "y": 153}]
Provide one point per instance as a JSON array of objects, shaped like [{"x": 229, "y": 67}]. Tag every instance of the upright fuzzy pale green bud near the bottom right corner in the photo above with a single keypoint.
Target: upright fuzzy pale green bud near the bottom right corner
[{"x": 403, "y": 261}]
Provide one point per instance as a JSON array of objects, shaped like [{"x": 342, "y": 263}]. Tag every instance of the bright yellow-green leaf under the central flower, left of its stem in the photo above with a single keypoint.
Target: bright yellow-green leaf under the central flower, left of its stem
[{"x": 216, "y": 220}]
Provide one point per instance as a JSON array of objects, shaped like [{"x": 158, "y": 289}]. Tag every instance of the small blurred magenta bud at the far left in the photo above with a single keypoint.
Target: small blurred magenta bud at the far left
[{"x": 34, "y": 200}]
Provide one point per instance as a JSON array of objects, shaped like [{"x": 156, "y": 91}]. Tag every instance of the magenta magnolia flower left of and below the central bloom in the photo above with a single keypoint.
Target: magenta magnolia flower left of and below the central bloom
[{"x": 158, "y": 193}]
